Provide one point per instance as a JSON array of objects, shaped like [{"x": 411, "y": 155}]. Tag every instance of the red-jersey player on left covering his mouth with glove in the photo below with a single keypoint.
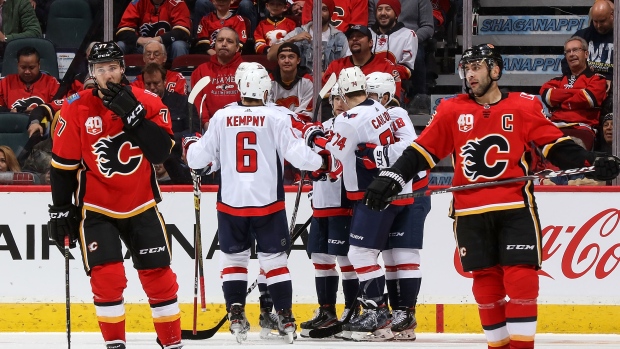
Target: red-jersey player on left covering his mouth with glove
[{"x": 104, "y": 191}]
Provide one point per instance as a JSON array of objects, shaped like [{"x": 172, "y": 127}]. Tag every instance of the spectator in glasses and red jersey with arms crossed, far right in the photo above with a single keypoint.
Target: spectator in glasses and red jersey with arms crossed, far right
[{"x": 574, "y": 98}]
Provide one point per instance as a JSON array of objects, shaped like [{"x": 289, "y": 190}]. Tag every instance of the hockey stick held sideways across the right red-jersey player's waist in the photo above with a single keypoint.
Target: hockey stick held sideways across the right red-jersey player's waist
[{"x": 545, "y": 174}]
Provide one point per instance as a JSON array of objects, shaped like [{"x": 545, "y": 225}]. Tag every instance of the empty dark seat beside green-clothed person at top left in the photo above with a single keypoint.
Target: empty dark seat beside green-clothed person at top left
[{"x": 68, "y": 22}]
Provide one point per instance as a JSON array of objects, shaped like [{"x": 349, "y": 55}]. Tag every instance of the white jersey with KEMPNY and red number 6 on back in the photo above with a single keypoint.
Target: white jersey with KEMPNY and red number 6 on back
[{"x": 250, "y": 144}]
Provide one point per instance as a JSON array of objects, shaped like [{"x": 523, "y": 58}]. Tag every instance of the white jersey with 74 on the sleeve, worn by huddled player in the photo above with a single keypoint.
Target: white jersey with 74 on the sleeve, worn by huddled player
[{"x": 368, "y": 122}]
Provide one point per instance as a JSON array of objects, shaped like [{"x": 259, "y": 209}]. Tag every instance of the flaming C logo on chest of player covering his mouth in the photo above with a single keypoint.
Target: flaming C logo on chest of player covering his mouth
[{"x": 117, "y": 155}]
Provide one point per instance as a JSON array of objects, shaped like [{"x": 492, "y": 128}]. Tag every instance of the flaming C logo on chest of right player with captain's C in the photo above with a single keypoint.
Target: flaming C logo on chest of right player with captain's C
[{"x": 475, "y": 155}]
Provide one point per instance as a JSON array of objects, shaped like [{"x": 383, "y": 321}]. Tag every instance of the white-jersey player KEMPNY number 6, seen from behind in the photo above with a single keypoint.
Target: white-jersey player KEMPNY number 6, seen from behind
[{"x": 250, "y": 142}]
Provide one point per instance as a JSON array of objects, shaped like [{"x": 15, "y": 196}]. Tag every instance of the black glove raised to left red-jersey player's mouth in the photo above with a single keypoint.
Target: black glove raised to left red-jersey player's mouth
[{"x": 122, "y": 102}]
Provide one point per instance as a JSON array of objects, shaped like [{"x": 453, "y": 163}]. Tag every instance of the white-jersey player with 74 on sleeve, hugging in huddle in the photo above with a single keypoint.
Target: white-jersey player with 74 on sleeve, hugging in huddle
[{"x": 366, "y": 121}]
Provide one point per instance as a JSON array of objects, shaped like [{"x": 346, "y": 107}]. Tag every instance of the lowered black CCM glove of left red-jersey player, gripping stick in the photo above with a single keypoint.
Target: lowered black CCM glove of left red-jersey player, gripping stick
[{"x": 63, "y": 222}]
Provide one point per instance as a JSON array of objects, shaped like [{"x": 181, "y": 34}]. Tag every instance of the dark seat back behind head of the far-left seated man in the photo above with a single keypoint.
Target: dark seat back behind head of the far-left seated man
[{"x": 47, "y": 52}]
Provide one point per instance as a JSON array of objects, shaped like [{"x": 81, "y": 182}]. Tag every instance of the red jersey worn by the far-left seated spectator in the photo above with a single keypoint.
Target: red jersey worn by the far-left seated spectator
[{"x": 15, "y": 94}]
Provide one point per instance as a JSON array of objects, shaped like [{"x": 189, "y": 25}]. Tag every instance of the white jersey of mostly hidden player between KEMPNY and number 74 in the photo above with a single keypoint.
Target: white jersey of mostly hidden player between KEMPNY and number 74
[{"x": 329, "y": 198}]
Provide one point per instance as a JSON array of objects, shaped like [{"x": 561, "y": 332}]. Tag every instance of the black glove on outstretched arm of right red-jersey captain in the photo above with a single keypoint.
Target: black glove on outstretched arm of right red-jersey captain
[{"x": 389, "y": 183}]
